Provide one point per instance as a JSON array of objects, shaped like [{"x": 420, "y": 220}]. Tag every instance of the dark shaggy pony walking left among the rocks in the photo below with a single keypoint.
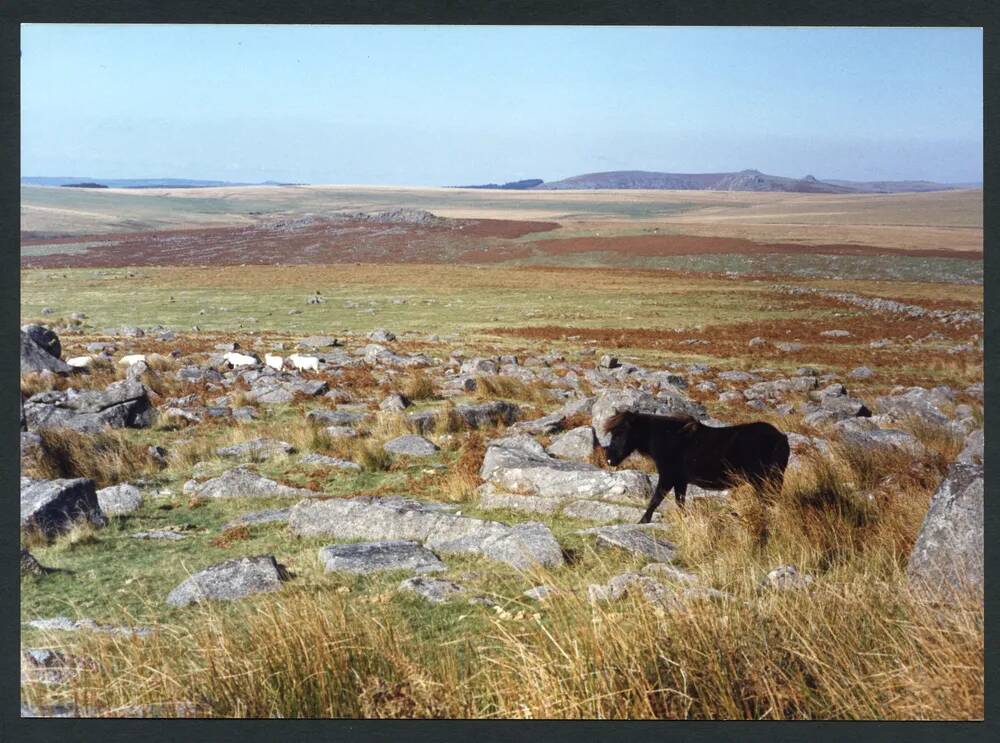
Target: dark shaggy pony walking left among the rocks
[{"x": 687, "y": 451}]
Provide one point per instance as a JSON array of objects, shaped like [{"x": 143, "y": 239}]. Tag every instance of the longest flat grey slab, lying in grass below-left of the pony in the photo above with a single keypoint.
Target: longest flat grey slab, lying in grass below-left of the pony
[{"x": 522, "y": 546}]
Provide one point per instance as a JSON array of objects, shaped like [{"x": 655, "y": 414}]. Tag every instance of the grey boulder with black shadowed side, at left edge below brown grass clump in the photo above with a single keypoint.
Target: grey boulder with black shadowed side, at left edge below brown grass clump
[{"x": 52, "y": 506}]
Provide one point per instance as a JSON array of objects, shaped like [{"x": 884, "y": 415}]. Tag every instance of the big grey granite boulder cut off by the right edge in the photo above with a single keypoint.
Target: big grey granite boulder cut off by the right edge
[{"x": 948, "y": 555}]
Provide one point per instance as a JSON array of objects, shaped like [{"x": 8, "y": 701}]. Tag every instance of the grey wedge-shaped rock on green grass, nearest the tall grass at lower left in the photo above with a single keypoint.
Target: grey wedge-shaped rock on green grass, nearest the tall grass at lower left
[{"x": 229, "y": 581}]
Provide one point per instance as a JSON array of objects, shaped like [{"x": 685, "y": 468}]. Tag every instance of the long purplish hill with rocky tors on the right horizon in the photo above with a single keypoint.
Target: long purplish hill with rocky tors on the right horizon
[{"x": 744, "y": 180}]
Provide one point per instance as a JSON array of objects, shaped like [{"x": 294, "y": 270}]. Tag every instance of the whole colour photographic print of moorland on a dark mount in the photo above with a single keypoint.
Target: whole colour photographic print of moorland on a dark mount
[{"x": 551, "y": 372}]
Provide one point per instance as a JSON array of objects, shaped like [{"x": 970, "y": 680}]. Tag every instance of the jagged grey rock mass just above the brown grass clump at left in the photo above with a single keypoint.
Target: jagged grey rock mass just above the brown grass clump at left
[{"x": 123, "y": 404}]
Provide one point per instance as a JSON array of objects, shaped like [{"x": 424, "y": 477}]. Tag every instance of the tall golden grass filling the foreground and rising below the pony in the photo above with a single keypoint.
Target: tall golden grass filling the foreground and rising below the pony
[{"x": 859, "y": 643}]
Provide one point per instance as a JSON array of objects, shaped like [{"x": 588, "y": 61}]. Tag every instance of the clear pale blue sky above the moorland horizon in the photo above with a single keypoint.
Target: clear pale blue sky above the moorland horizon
[{"x": 457, "y": 105}]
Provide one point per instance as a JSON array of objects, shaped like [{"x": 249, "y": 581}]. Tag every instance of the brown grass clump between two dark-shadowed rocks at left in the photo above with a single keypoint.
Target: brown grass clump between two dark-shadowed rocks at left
[{"x": 106, "y": 457}]
